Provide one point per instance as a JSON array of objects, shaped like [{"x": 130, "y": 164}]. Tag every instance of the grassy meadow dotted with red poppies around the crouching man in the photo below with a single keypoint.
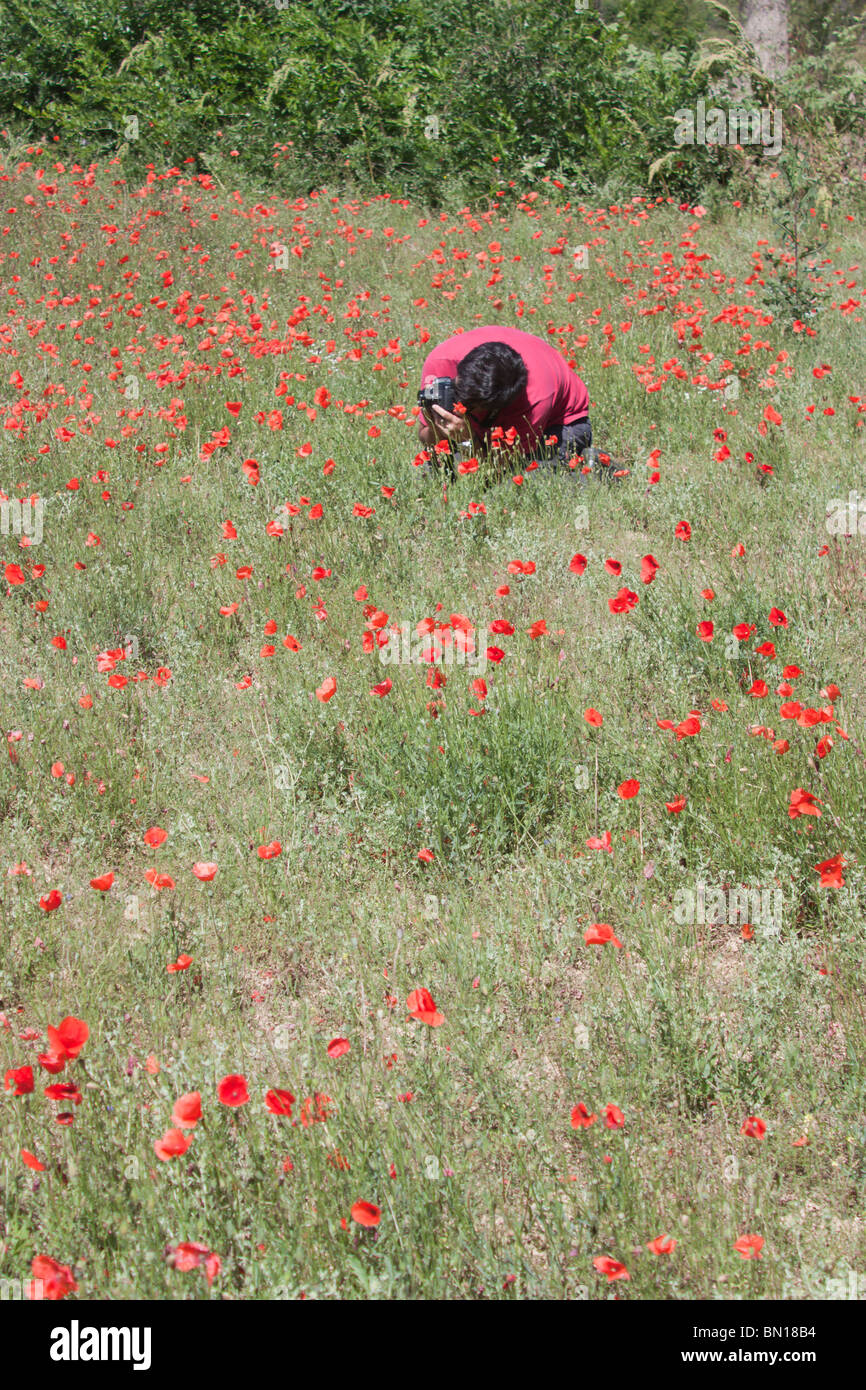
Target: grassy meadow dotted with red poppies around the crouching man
[{"x": 690, "y": 1029}]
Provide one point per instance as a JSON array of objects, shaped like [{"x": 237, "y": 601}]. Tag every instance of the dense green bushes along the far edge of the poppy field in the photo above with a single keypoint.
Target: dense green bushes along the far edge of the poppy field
[{"x": 430, "y": 101}]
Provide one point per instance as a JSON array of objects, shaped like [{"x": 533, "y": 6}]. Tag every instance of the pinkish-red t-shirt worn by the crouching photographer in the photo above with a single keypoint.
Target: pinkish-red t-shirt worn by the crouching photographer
[{"x": 554, "y": 394}]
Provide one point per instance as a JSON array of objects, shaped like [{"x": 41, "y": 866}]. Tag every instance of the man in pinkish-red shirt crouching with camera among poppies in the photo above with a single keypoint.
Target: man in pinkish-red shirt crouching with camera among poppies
[{"x": 515, "y": 391}]
